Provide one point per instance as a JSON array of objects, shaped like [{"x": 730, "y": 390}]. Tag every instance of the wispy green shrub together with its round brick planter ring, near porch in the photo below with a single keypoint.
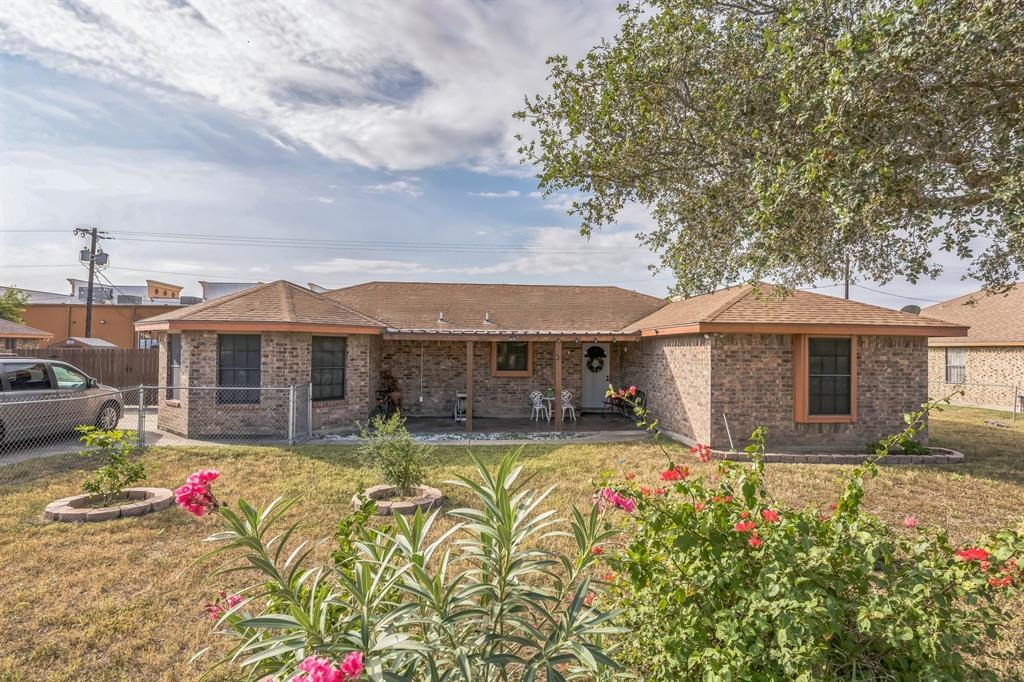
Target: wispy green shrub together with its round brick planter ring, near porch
[{"x": 392, "y": 449}]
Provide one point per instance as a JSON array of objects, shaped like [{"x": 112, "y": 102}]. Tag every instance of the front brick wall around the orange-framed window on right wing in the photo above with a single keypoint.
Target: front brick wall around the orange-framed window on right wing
[{"x": 752, "y": 383}]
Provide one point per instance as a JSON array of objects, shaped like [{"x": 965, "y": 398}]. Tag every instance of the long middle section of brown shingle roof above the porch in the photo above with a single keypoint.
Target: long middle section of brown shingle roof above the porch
[{"x": 409, "y": 306}]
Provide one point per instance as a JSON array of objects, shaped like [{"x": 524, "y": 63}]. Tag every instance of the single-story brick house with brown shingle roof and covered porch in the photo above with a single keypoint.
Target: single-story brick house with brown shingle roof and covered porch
[{"x": 816, "y": 370}]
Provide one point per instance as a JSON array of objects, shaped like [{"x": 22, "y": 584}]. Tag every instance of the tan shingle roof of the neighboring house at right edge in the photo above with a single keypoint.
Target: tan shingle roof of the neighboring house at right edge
[{"x": 994, "y": 319}]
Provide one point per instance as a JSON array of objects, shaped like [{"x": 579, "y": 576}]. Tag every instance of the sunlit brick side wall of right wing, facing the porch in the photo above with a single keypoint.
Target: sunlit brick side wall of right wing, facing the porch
[{"x": 675, "y": 373}]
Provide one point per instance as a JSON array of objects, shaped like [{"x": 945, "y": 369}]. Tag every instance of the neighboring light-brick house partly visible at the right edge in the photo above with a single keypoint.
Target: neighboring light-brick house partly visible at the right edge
[{"x": 990, "y": 362}]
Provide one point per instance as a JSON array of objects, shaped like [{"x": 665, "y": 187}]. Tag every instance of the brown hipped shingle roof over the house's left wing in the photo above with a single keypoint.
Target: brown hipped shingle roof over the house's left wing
[{"x": 275, "y": 303}]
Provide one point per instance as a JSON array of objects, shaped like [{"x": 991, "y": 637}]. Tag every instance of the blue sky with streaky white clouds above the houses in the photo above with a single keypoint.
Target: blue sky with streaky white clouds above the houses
[{"x": 376, "y": 138}]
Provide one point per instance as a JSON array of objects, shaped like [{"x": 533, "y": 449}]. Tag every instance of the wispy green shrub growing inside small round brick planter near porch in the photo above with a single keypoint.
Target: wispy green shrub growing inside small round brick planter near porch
[{"x": 392, "y": 449}]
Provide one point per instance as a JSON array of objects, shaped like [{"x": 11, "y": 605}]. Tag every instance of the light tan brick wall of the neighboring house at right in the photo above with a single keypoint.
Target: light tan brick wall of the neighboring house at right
[{"x": 994, "y": 375}]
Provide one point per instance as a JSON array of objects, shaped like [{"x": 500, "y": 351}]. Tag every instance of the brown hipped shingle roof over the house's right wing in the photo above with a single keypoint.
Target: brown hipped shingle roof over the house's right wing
[{"x": 740, "y": 306}]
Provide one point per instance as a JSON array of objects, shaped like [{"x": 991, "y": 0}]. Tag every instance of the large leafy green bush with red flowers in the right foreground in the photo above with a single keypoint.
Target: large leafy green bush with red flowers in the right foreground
[{"x": 719, "y": 581}]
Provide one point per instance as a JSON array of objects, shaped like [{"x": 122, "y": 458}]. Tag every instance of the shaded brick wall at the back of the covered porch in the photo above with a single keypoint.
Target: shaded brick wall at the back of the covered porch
[{"x": 437, "y": 370}]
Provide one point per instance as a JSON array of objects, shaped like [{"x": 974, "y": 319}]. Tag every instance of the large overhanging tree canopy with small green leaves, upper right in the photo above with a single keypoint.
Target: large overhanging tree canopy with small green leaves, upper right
[{"x": 774, "y": 139}]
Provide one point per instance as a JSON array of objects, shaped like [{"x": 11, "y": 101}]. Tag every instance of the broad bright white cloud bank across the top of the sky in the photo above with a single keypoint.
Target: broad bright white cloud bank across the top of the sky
[{"x": 385, "y": 86}]
